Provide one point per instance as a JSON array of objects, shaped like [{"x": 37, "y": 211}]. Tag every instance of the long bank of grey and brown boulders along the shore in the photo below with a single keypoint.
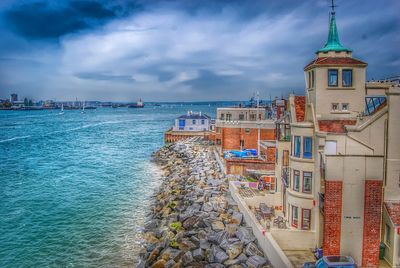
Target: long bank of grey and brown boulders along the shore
[{"x": 193, "y": 220}]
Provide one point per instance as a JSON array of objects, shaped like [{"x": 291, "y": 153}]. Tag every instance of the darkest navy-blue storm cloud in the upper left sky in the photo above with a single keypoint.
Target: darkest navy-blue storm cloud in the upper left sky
[{"x": 46, "y": 20}]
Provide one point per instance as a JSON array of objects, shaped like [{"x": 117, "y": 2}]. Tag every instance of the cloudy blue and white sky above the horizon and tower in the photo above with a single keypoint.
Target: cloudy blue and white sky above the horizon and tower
[{"x": 182, "y": 50}]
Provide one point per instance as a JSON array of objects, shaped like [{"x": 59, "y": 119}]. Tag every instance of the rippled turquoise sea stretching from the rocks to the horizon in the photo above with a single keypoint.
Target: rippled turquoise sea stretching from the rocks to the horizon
[{"x": 75, "y": 188}]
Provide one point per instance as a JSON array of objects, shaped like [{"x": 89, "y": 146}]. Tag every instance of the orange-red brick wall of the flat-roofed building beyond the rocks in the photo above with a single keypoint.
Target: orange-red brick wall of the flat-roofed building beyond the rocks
[{"x": 230, "y": 137}]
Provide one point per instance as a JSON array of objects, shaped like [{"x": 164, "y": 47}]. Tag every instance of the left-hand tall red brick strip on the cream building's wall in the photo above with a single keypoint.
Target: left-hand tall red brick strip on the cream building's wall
[{"x": 332, "y": 217}]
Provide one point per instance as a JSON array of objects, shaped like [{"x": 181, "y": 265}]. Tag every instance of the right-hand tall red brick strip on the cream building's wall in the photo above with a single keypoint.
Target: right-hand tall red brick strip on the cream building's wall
[{"x": 372, "y": 223}]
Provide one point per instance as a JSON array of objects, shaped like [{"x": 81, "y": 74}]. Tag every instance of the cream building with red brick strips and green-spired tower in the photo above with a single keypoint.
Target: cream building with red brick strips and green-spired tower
[{"x": 339, "y": 158}]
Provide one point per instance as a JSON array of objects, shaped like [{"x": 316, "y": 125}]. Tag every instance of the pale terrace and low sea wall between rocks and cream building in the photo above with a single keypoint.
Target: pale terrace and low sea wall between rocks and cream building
[{"x": 284, "y": 247}]
